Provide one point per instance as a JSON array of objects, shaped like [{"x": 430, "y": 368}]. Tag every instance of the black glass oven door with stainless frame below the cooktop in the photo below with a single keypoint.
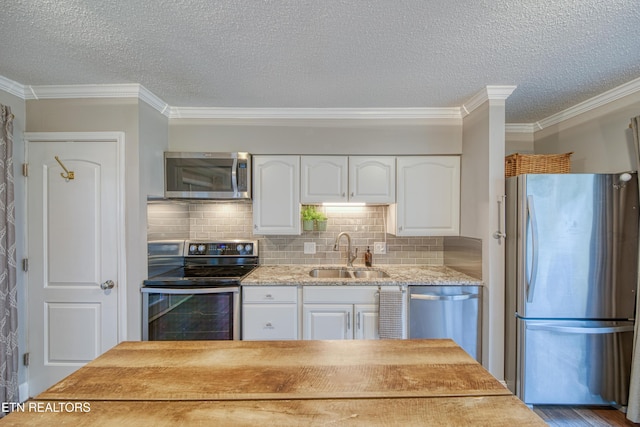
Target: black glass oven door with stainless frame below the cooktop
[{"x": 181, "y": 314}]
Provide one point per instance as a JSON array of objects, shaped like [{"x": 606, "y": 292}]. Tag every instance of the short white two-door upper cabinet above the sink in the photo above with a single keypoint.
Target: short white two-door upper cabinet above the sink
[{"x": 348, "y": 179}]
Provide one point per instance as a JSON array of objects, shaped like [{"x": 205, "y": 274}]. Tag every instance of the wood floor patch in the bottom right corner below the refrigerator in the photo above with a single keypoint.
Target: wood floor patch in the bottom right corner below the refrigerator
[{"x": 564, "y": 416}]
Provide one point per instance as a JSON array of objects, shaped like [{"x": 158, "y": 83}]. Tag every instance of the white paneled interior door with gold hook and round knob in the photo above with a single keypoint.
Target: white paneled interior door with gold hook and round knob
[{"x": 73, "y": 245}]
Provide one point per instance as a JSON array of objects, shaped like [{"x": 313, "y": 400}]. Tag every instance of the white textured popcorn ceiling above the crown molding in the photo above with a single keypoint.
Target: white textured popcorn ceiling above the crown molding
[{"x": 329, "y": 53}]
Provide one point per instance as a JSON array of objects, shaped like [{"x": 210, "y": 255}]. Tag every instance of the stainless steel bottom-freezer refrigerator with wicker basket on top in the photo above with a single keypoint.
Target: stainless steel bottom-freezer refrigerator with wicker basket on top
[{"x": 571, "y": 273}]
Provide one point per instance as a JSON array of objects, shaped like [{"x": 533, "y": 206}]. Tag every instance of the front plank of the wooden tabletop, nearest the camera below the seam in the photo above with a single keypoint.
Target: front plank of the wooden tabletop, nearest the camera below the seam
[{"x": 493, "y": 411}]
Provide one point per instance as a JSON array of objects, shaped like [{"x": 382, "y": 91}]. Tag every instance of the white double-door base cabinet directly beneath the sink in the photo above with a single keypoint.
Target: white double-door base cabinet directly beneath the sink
[{"x": 340, "y": 312}]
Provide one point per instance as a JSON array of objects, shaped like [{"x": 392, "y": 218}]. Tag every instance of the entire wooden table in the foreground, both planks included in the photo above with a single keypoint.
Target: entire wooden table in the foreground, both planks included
[{"x": 385, "y": 382}]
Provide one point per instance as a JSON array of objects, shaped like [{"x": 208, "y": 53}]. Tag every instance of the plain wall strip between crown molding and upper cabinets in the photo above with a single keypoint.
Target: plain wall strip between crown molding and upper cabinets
[{"x": 296, "y": 136}]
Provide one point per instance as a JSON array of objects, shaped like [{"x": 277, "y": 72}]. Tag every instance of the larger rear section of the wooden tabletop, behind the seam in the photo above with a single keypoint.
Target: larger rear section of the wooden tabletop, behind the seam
[{"x": 261, "y": 370}]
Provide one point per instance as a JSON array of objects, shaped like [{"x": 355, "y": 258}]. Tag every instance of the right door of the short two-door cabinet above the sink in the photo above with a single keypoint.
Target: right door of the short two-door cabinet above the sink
[{"x": 372, "y": 179}]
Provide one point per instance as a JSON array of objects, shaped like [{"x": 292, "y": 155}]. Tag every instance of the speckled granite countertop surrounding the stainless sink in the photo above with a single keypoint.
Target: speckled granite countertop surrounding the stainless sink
[{"x": 298, "y": 274}]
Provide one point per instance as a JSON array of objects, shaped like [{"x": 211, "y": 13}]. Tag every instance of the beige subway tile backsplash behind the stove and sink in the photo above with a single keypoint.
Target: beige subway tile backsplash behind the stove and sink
[{"x": 227, "y": 220}]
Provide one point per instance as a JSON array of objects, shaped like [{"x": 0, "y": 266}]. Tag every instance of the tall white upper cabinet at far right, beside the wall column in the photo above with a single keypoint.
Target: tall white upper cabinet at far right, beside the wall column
[{"x": 428, "y": 197}]
